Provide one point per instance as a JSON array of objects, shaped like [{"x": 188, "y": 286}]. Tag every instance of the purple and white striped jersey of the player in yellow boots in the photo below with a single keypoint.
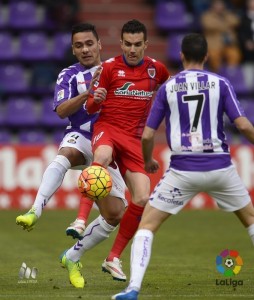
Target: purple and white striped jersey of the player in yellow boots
[{"x": 71, "y": 82}]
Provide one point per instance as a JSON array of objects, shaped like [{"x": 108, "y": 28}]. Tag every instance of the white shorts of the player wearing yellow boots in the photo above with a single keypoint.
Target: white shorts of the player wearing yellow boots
[{"x": 78, "y": 141}]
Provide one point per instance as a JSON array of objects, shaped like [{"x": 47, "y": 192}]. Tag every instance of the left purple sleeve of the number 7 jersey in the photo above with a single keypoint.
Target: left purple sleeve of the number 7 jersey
[{"x": 158, "y": 110}]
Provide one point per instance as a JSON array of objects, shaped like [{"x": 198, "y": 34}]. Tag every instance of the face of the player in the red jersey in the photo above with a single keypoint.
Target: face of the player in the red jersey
[{"x": 133, "y": 46}]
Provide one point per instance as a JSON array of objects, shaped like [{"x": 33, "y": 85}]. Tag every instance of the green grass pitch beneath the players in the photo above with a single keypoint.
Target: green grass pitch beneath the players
[{"x": 182, "y": 264}]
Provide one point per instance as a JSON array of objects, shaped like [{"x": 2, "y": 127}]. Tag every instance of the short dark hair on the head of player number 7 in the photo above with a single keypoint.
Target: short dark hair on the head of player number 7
[{"x": 194, "y": 47}]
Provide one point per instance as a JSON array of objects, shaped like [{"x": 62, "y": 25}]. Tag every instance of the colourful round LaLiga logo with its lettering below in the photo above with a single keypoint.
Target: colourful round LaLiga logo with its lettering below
[{"x": 229, "y": 263}]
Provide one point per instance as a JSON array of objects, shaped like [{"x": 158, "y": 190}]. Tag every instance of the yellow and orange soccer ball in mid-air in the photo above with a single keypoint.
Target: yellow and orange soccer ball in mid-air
[{"x": 95, "y": 182}]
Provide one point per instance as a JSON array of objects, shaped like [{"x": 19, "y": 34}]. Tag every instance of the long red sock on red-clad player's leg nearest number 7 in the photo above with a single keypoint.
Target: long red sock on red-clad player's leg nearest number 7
[{"x": 128, "y": 226}]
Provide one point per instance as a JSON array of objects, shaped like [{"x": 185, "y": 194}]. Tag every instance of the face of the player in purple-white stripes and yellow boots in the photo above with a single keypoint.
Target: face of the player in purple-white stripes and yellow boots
[{"x": 86, "y": 49}]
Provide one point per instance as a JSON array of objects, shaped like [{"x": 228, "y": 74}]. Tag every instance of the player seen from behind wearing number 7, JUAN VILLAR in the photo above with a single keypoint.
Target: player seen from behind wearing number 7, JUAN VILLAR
[{"x": 193, "y": 104}]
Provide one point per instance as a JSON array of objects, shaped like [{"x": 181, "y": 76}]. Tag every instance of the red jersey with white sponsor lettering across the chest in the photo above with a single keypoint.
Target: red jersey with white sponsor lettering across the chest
[{"x": 129, "y": 93}]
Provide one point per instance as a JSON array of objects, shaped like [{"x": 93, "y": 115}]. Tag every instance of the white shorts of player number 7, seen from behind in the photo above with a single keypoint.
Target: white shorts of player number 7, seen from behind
[{"x": 177, "y": 188}]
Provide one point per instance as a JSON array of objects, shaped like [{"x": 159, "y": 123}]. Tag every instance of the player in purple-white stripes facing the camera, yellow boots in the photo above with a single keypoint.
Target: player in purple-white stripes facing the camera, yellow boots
[{"x": 71, "y": 92}]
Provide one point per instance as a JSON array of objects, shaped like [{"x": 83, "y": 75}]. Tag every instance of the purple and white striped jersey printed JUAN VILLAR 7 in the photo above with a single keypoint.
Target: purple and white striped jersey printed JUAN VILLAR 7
[{"x": 193, "y": 103}]
